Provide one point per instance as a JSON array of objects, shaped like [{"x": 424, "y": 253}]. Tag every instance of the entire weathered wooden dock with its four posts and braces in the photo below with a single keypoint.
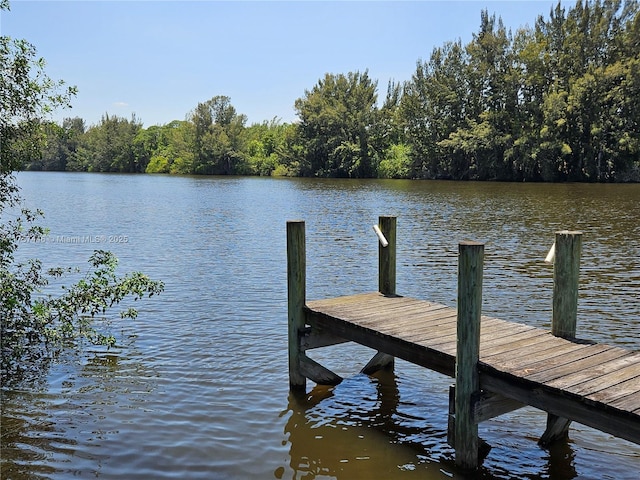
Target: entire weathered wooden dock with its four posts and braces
[{"x": 498, "y": 366}]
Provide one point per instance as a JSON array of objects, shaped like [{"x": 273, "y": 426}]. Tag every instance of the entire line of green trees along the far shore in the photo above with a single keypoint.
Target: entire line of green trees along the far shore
[{"x": 556, "y": 101}]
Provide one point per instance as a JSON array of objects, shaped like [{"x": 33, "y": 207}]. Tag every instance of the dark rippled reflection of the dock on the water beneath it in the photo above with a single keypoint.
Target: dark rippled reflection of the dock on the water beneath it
[{"x": 363, "y": 429}]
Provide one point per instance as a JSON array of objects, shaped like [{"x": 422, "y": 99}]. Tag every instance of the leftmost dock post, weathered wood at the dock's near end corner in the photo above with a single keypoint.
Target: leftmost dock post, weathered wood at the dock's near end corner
[{"x": 296, "y": 293}]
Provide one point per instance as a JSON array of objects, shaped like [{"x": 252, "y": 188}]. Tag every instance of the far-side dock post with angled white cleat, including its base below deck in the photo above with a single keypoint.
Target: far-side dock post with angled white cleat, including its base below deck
[{"x": 386, "y": 284}]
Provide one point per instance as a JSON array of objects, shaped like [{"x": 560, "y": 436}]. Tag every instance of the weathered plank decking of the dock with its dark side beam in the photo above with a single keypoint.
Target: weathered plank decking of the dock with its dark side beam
[{"x": 594, "y": 384}]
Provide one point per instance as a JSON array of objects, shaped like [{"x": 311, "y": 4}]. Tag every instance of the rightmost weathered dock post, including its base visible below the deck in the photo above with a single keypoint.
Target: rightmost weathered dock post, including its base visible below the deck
[{"x": 566, "y": 270}]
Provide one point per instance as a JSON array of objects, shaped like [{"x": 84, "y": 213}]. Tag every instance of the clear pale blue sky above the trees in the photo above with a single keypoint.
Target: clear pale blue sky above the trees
[{"x": 159, "y": 59}]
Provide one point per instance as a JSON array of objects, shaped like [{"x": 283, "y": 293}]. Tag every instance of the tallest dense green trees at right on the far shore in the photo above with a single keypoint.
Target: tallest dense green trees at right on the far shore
[{"x": 555, "y": 102}]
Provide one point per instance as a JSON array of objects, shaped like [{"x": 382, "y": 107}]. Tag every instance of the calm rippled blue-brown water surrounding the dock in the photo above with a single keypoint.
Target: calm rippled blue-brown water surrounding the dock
[{"x": 198, "y": 388}]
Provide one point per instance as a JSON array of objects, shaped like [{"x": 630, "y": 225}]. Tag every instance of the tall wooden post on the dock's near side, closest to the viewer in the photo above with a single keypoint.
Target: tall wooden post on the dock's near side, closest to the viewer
[{"x": 470, "y": 264}]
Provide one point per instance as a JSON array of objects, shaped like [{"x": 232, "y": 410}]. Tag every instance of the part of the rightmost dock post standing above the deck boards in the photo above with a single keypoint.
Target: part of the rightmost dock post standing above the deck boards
[{"x": 566, "y": 268}]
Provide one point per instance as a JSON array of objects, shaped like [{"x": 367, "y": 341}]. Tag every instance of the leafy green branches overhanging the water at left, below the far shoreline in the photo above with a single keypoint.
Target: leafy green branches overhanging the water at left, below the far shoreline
[{"x": 34, "y": 326}]
